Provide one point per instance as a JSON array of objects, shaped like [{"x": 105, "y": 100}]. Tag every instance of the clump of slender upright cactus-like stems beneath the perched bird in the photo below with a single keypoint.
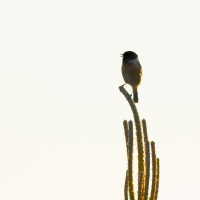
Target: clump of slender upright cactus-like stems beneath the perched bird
[{"x": 145, "y": 154}]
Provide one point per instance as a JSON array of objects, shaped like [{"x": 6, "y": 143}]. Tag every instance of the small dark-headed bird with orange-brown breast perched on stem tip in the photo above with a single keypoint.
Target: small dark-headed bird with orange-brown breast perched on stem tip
[{"x": 132, "y": 71}]
